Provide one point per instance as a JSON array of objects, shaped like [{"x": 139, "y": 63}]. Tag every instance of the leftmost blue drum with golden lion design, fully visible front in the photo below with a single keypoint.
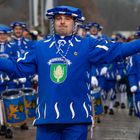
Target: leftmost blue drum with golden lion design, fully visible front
[{"x": 14, "y": 106}]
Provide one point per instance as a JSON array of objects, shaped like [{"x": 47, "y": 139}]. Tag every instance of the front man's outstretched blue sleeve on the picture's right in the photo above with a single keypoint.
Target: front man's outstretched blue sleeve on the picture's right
[{"x": 109, "y": 52}]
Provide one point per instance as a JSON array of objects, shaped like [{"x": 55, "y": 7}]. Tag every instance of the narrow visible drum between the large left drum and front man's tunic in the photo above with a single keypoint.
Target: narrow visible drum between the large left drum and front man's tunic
[{"x": 30, "y": 102}]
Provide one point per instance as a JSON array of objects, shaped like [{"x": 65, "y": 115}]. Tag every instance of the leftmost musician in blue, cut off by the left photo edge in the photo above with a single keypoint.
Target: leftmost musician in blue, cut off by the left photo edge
[{"x": 7, "y": 50}]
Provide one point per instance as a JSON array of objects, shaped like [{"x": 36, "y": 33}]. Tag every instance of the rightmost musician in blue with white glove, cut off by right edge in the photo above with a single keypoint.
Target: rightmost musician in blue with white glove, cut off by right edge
[{"x": 134, "y": 79}]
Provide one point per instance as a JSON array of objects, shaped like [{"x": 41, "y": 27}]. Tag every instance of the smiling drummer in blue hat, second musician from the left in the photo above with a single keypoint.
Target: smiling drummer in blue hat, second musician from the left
[{"x": 23, "y": 45}]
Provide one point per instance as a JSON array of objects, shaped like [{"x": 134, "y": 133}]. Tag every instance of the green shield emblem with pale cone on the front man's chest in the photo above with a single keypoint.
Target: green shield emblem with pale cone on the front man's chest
[{"x": 58, "y": 72}]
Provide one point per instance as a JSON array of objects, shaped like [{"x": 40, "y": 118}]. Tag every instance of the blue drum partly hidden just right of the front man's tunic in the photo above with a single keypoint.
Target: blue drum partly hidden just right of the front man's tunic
[{"x": 98, "y": 104}]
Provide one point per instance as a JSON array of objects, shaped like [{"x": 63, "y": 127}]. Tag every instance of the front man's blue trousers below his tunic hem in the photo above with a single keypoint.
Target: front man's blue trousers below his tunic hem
[{"x": 62, "y": 132}]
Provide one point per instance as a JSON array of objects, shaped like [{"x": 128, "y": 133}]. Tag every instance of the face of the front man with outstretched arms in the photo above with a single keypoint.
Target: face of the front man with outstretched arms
[{"x": 64, "y": 24}]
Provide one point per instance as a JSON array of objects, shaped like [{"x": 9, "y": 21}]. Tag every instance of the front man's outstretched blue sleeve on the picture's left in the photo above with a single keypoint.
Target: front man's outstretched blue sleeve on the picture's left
[{"x": 22, "y": 67}]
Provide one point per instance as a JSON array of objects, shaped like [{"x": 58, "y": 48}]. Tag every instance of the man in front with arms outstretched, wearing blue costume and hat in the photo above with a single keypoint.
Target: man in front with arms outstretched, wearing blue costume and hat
[{"x": 63, "y": 63}]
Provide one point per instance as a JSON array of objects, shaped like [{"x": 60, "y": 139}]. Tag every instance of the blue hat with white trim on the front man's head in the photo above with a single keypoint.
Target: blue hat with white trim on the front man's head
[{"x": 67, "y": 10}]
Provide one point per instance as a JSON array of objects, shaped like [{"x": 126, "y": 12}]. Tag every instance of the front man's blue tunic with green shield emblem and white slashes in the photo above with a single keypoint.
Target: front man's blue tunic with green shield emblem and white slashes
[{"x": 64, "y": 67}]
